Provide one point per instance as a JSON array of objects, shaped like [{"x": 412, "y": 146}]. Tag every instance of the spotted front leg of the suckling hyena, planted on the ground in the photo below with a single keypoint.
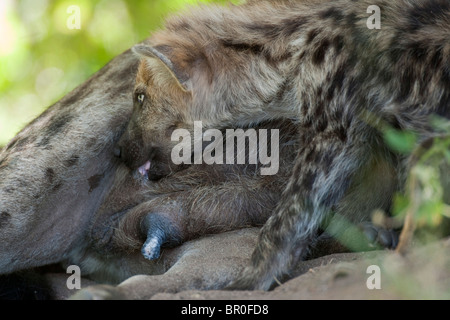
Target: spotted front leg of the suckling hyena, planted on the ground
[{"x": 322, "y": 175}]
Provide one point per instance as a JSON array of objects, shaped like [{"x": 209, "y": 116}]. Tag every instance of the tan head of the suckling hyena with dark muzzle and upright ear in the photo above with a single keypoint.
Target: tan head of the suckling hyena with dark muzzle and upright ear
[{"x": 160, "y": 98}]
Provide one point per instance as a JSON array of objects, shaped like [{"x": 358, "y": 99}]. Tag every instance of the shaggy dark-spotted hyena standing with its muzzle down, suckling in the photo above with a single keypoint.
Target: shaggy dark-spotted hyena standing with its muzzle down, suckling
[{"x": 317, "y": 63}]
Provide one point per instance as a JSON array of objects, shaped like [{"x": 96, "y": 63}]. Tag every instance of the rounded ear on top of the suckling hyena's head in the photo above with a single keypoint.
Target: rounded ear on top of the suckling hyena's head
[{"x": 174, "y": 68}]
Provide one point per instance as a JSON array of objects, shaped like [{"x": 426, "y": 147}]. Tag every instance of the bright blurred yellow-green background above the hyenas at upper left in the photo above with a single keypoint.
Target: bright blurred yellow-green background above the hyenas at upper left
[{"x": 42, "y": 59}]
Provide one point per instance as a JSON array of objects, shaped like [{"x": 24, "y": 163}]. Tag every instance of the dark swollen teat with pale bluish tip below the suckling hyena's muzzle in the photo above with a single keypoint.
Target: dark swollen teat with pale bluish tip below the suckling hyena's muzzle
[{"x": 160, "y": 231}]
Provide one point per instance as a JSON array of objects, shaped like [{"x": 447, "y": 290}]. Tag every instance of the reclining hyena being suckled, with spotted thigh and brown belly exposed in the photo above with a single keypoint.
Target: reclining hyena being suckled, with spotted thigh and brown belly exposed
[{"x": 65, "y": 198}]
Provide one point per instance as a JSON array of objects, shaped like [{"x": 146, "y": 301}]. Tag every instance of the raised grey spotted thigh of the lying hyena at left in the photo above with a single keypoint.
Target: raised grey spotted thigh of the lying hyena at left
[{"x": 55, "y": 172}]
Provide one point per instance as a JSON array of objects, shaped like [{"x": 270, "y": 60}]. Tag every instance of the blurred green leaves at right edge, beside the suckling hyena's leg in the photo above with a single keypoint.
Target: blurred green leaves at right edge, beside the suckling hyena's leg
[{"x": 427, "y": 193}]
